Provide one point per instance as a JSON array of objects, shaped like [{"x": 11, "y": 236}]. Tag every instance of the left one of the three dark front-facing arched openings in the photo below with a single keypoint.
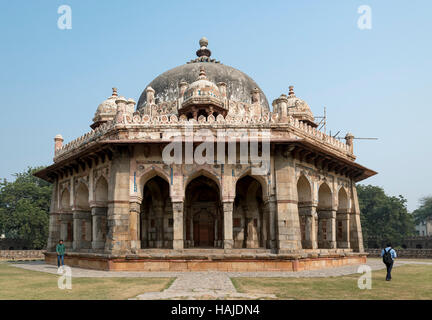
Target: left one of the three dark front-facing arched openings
[{"x": 156, "y": 217}]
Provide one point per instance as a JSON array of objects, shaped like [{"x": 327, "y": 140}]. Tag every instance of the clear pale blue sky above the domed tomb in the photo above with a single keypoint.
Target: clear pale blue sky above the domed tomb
[{"x": 374, "y": 83}]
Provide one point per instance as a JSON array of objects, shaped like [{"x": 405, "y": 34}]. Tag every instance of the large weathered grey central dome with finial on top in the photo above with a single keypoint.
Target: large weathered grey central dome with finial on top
[{"x": 239, "y": 85}]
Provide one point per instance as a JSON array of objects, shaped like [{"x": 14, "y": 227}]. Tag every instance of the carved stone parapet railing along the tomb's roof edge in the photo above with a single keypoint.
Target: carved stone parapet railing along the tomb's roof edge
[{"x": 146, "y": 121}]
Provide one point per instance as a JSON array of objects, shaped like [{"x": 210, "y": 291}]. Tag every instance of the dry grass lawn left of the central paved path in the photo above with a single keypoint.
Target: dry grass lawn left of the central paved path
[{"x": 20, "y": 284}]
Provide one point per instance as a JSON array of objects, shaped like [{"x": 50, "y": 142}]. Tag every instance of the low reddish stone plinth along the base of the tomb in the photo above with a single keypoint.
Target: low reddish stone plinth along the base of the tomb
[{"x": 247, "y": 260}]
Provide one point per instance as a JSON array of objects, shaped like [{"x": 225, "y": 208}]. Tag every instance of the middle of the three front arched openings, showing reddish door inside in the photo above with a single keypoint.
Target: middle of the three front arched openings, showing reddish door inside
[{"x": 204, "y": 216}]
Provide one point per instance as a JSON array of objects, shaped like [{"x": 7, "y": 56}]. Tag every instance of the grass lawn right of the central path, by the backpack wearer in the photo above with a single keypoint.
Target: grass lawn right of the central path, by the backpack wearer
[{"x": 409, "y": 282}]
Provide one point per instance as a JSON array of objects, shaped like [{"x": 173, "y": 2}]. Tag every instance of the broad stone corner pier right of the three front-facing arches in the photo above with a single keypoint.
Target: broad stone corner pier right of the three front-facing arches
[{"x": 288, "y": 223}]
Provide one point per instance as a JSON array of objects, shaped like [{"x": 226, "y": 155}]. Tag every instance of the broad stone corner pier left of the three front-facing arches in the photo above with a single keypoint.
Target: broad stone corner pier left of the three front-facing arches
[{"x": 118, "y": 238}]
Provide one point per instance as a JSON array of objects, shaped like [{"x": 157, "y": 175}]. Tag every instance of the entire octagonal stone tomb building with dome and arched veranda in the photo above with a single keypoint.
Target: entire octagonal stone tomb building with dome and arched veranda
[{"x": 118, "y": 204}]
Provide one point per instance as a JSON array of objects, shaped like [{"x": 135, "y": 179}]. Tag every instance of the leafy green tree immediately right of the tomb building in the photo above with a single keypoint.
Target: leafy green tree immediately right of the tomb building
[{"x": 384, "y": 218}]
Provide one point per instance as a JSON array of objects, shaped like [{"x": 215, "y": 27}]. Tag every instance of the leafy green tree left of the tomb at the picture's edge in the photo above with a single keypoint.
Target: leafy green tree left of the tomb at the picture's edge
[{"x": 24, "y": 208}]
